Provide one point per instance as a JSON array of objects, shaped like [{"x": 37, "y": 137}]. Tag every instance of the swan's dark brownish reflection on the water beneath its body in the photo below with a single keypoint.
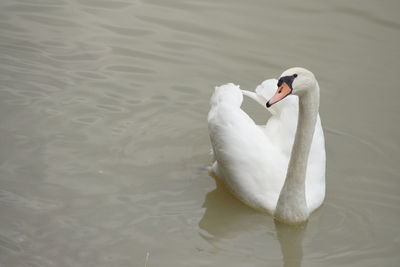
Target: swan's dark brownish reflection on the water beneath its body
[{"x": 225, "y": 218}]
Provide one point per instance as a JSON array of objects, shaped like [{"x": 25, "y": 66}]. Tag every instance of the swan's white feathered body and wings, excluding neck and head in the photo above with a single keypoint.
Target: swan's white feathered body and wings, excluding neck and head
[{"x": 253, "y": 160}]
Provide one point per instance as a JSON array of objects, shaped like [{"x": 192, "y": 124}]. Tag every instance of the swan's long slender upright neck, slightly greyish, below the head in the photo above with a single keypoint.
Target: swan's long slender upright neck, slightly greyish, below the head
[{"x": 292, "y": 205}]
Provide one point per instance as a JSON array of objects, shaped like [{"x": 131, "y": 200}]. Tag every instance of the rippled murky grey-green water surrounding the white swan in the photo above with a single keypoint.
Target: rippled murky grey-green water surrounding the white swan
[{"x": 104, "y": 143}]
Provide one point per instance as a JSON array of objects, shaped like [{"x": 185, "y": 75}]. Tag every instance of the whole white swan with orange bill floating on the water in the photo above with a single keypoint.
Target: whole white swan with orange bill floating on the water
[{"x": 278, "y": 168}]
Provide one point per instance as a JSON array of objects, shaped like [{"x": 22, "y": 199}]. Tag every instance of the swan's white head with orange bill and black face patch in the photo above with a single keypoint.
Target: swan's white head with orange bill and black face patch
[{"x": 296, "y": 81}]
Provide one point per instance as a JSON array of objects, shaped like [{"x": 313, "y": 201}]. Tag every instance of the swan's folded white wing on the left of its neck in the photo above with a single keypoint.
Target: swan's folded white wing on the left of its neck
[{"x": 249, "y": 164}]
